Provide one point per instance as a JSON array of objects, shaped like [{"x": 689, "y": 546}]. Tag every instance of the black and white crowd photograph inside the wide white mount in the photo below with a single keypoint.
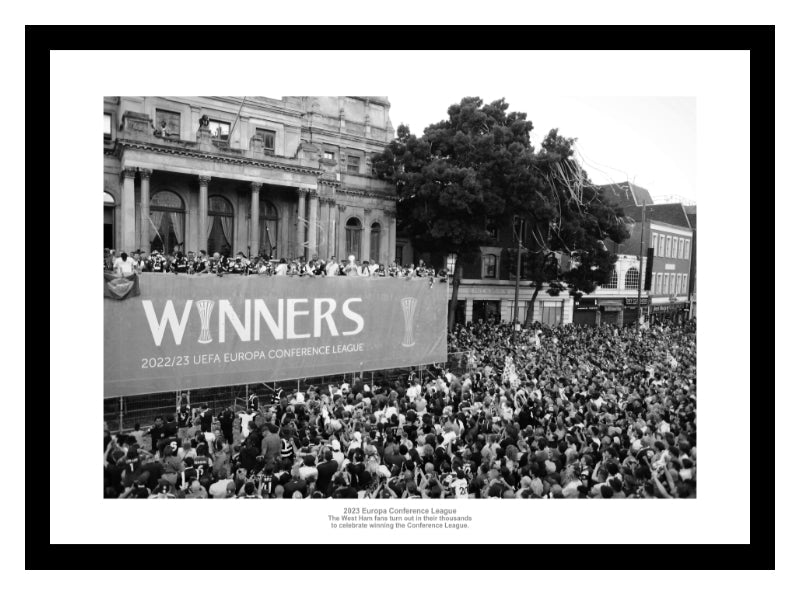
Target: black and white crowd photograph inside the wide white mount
[{"x": 304, "y": 300}]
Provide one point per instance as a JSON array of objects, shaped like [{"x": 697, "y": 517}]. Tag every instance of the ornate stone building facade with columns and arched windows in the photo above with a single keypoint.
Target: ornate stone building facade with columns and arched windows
[{"x": 288, "y": 177}]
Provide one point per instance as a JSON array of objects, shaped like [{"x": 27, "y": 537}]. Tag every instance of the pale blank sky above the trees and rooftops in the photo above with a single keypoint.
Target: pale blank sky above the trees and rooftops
[{"x": 649, "y": 140}]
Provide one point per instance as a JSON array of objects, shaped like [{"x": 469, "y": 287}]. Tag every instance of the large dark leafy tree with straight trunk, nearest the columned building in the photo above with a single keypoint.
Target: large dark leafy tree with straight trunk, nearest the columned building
[{"x": 462, "y": 171}]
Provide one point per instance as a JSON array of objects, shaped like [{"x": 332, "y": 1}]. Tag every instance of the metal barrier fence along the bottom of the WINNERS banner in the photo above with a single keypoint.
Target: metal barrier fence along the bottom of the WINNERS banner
[{"x": 123, "y": 413}]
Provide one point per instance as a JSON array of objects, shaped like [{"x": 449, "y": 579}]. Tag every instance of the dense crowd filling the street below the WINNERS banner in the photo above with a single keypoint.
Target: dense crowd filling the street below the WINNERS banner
[{"x": 561, "y": 412}]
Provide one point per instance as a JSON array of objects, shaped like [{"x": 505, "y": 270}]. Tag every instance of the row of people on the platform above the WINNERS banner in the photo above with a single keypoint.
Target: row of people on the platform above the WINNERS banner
[{"x": 202, "y": 263}]
